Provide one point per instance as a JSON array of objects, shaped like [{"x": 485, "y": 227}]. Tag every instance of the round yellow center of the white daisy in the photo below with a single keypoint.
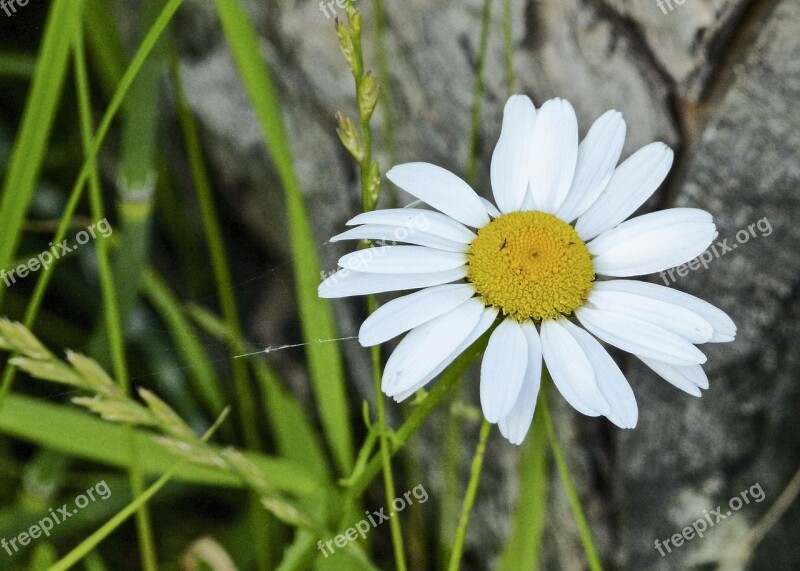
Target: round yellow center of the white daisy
[{"x": 530, "y": 265}]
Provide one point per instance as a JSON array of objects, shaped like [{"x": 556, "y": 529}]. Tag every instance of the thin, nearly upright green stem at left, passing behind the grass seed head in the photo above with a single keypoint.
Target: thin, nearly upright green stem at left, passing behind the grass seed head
[{"x": 110, "y": 303}]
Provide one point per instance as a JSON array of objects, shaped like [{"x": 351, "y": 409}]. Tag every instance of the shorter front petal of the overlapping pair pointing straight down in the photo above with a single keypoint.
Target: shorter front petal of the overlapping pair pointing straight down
[{"x": 502, "y": 369}]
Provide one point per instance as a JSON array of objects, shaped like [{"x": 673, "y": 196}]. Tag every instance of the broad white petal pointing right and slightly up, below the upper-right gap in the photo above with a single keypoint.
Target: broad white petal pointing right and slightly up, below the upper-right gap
[{"x": 652, "y": 242}]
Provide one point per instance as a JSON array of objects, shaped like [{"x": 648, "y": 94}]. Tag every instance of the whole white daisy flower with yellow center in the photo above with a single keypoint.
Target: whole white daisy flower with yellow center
[{"x": 540, "y": 267}]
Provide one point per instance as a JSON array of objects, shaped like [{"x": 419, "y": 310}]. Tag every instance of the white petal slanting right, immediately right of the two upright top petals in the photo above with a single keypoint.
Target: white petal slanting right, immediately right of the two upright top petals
[{"x": 598, "y": 154}]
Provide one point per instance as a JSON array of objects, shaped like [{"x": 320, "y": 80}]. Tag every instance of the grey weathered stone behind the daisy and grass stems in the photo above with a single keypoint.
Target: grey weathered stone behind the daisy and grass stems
[{"x": 718, "y": 80}]
